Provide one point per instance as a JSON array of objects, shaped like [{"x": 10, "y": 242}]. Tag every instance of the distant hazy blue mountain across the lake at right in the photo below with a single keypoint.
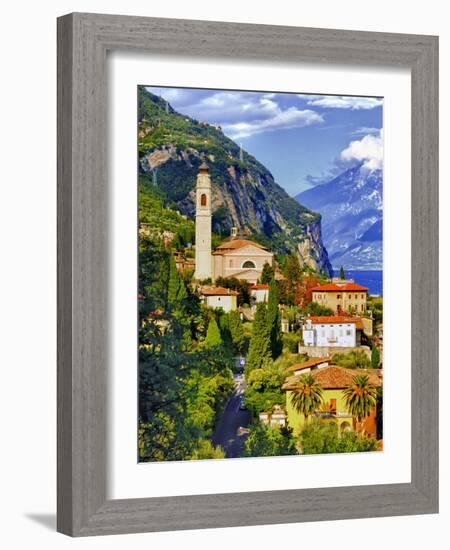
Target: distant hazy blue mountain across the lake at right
[{"x": 351, "y": 207}]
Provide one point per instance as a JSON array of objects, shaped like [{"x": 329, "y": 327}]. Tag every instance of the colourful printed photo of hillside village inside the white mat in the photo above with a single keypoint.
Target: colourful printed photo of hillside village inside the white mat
[{"x": 260, "y": 285}]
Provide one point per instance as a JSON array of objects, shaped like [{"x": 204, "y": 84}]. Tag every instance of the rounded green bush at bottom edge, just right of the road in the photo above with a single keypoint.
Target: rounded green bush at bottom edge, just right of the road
[{"x": 266, "y": 440}]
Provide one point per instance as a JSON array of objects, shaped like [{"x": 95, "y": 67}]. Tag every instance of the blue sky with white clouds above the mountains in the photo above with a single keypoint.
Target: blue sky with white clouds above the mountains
[{"x": 302, "y": 139}]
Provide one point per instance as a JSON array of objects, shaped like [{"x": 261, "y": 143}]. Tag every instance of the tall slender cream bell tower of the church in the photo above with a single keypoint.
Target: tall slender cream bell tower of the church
[{"x": 203, "y": 257}]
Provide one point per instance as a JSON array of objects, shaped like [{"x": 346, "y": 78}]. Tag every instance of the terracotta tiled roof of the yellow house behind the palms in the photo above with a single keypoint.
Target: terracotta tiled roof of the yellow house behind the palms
[{"x": 334, "y": 377}]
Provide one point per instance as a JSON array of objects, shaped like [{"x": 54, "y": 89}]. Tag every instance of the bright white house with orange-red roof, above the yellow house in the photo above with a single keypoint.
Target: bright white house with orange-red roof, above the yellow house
[{"x": 336, "y": 331}]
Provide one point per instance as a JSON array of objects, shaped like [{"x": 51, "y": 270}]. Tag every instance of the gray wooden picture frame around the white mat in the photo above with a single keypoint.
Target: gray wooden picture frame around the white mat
[{"x": 83, "y": 42}]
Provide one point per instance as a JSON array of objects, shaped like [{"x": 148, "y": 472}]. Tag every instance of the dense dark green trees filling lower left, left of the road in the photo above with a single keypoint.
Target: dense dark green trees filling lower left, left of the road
[{"x": 184, "y": 375}]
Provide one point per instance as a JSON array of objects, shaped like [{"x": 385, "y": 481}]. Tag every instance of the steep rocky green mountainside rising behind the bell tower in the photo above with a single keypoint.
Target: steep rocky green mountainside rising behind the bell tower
[{"x": 245, "y": 195}]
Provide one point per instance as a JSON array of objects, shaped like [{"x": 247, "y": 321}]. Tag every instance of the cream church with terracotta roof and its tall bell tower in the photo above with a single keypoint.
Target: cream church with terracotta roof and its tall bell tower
[{"x": 236, "y": 256}]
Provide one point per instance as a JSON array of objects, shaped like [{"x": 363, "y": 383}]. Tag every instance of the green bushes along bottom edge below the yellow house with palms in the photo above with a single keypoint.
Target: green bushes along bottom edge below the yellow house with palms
[{"x": 319, "y": 437}]
